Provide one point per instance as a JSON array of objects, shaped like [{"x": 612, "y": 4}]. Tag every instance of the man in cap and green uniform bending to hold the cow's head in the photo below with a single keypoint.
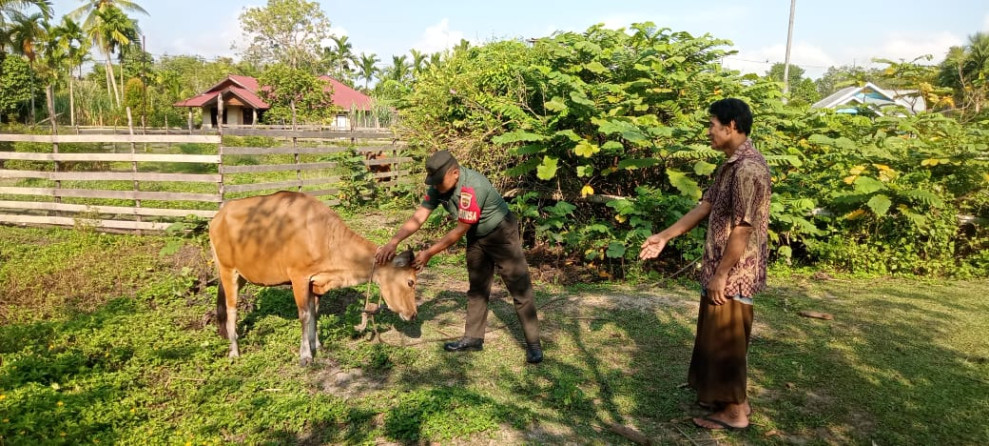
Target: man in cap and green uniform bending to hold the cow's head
[{"x": 493, "y": 244}]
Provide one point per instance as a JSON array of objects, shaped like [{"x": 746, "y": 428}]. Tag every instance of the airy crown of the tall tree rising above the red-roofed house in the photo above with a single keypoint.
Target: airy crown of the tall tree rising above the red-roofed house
[{"x": 285, "y": 31}]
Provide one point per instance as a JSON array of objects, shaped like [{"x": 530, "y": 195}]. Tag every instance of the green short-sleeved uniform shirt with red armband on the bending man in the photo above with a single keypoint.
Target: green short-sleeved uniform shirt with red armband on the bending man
[{"x": 474, "y": 201}]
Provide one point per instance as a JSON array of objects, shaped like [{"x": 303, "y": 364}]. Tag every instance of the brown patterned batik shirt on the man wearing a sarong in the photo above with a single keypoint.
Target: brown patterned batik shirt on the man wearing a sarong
[{"x": 740, "y": 194}]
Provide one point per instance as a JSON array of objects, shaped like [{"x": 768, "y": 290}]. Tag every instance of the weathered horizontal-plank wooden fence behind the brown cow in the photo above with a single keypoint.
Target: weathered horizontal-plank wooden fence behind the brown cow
[{"x": 150, "y": 181}]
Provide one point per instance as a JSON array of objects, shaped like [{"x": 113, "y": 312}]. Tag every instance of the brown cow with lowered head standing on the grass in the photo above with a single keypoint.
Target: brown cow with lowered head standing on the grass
[{"x": 293, "y": 238}]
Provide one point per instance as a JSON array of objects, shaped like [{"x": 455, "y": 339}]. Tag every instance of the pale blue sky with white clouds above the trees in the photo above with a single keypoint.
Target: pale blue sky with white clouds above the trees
[{"x": 825, "y": 32}]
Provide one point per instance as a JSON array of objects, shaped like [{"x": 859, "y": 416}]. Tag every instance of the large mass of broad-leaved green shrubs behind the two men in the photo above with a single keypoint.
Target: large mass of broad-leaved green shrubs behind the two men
[{"x": 585, "y": 117}]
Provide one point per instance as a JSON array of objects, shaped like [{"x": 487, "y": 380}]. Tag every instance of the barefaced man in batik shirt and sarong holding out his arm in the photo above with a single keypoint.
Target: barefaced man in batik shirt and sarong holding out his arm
[{"x": 733, "y": 269}]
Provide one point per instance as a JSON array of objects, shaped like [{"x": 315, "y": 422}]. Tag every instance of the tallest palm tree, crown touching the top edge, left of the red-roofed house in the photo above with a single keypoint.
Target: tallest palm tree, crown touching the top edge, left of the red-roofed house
[{"x": 109, "y": 28}]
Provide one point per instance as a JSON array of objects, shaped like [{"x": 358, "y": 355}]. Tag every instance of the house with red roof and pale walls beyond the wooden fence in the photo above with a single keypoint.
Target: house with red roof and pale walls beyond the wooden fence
[{"x": 235, "y": 100}]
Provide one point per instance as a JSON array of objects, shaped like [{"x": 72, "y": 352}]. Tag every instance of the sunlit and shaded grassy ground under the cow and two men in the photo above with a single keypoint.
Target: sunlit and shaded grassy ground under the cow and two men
[{"x": 110, "y": 339}]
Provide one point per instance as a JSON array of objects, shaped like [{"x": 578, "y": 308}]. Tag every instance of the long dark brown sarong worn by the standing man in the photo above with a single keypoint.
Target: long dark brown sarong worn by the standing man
[{"x": 718, "y": 365}]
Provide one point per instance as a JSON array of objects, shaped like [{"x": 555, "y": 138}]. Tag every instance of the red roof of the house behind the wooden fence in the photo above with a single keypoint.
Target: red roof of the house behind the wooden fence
[{"x": 246, "y": 87}]
